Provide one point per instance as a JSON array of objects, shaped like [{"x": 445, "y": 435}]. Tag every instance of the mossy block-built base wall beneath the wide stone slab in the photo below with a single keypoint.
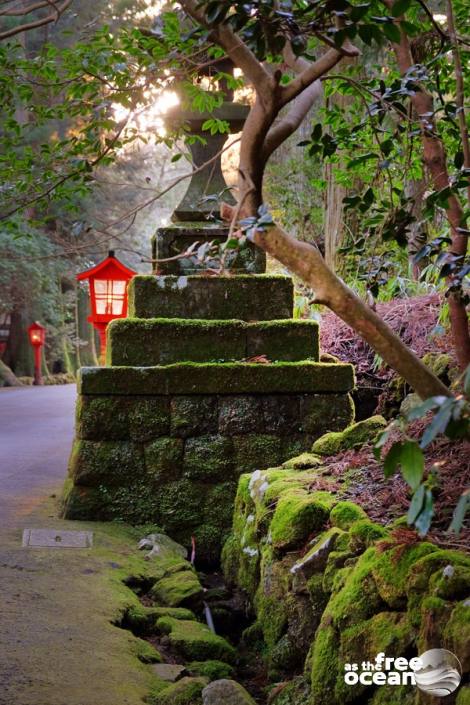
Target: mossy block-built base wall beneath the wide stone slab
[{"x": 175, "y": 459}]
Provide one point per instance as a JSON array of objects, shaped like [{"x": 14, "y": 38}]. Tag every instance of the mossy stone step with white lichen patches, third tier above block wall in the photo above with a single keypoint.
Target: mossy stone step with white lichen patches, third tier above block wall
[{"x": 248, "y": 297}]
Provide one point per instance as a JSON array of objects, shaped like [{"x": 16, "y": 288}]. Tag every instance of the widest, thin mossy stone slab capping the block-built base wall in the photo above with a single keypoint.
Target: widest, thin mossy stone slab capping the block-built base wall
[{"x": 218, "y": 378}]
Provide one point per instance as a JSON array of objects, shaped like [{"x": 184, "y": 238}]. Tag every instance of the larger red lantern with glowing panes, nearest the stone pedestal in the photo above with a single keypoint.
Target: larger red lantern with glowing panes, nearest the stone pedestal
[{"x": 108, "y": 293}]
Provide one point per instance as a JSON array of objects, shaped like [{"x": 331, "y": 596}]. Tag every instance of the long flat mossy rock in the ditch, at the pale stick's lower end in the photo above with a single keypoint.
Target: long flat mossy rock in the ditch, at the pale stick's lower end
[{"x": 195, "y": 641}]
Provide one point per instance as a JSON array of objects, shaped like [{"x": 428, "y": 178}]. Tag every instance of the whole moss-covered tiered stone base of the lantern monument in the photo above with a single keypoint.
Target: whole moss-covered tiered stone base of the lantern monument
[{"x": 179, "y": 412}]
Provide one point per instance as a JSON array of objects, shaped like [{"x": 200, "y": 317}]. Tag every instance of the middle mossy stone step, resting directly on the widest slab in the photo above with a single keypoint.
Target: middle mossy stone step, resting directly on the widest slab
[{"x": 162, "y": 341}]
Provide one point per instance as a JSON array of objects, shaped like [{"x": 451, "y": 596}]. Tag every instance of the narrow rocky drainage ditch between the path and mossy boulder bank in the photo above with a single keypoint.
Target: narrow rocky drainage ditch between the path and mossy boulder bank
[{"x": 224, "y": 612}]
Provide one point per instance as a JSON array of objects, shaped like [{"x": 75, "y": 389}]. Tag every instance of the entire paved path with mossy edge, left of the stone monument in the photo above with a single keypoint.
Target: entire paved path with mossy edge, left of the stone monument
[{"x": 57, "y": 643}]
